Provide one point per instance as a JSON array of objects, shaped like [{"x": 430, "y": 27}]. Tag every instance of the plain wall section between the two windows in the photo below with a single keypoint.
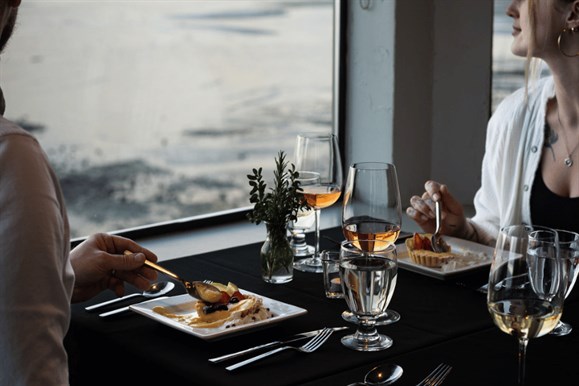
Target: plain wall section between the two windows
[{"x": 423, "y": 105}]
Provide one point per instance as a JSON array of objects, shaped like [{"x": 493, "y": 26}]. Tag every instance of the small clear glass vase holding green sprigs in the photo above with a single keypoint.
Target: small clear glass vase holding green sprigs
[{"x": 276, "y": 257}]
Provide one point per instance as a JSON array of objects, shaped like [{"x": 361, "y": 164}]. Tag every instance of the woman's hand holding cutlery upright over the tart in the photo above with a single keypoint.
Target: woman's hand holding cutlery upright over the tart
[{"x": 422, "y": 211}]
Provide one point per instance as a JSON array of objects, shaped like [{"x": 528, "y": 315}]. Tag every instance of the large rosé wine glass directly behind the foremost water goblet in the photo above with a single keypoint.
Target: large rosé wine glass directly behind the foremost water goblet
[{"x": 372, "y": 211}]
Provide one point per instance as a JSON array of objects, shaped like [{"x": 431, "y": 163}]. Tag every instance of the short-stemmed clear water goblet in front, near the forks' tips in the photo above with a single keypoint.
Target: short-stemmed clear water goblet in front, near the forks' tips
[{"x": 368, "y": 282}]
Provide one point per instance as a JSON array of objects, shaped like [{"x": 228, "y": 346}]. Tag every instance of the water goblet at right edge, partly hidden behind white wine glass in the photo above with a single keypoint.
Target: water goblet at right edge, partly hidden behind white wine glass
[{"x": 569, "y": 252}]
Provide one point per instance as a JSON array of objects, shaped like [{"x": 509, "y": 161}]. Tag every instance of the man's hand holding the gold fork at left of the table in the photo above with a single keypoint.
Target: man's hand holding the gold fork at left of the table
[{"x": 99, "y": 263}]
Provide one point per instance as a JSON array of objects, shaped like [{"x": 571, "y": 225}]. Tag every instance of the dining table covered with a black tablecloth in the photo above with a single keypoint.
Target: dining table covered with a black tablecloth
[{"x": 443, "y": 320}]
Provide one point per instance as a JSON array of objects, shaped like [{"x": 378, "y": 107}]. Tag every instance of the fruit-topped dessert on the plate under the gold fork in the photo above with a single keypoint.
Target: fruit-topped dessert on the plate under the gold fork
[{"x": 233, "y": 309}]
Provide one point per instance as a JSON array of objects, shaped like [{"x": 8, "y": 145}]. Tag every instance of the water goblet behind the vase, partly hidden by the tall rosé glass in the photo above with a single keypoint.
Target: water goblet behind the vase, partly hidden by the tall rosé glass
[{"x": 305, "y": 220}]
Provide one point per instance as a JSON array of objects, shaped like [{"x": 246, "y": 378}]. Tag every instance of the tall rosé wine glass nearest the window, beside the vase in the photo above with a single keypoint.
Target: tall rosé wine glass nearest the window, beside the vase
[{"x": 318, "y": 153}]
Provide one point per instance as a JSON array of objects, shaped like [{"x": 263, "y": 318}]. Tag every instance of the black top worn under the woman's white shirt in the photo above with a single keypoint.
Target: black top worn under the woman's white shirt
[{"x": 551, "y": 210}]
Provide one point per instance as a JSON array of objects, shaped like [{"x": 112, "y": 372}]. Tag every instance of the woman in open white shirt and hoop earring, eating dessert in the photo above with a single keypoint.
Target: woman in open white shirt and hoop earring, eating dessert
[{"x": 530, "y": 171}]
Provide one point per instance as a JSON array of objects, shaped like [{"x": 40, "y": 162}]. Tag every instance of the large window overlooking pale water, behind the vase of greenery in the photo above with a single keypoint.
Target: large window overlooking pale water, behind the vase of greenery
[{"x": 152, "y": 111}]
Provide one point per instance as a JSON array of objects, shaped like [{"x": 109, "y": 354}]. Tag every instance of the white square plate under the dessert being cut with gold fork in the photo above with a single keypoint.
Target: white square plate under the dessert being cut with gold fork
[{"x": 185, "y": 305}]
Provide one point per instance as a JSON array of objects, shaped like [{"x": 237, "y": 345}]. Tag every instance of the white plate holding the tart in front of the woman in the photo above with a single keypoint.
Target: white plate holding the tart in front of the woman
[{"x": 473, "y": 256}]
